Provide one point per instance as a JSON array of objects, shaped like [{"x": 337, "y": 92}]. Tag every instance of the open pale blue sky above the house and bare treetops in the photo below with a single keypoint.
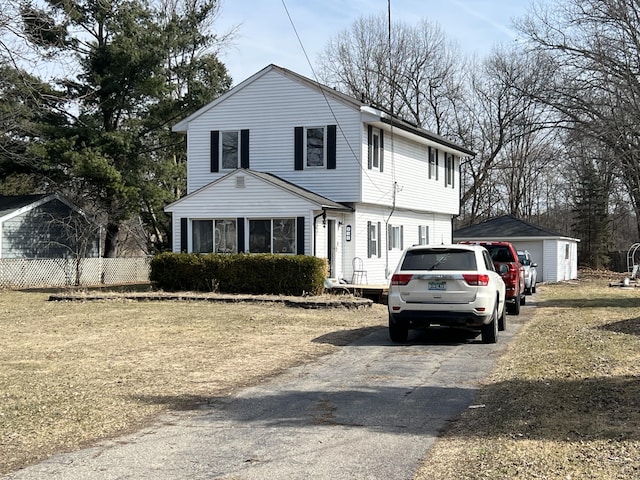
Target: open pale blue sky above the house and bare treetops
[{"x": 265, "y": 34}]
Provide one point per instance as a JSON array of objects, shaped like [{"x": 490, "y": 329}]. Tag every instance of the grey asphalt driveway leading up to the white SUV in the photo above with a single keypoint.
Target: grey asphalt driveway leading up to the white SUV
[{"x": 369, "y": 411}]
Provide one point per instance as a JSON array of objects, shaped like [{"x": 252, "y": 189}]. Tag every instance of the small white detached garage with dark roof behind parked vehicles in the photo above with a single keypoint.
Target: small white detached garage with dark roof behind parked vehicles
[{"x": 556, "y": 254}]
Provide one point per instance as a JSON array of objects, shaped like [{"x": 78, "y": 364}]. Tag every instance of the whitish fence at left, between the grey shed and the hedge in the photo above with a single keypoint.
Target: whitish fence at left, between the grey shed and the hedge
[{"x": 62, "y": 272}]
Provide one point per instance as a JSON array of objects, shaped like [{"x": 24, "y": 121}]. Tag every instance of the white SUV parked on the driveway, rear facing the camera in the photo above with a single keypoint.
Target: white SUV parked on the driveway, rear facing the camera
[{"x": 450, "y": 285}]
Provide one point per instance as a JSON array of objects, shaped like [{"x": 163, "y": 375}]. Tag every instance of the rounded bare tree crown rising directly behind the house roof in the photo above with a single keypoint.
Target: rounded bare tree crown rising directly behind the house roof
[{"x": 413, "y": 72}]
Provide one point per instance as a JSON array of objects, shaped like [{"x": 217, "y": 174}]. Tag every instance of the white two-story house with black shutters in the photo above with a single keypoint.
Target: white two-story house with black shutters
[{"x": 283, "y": 164}]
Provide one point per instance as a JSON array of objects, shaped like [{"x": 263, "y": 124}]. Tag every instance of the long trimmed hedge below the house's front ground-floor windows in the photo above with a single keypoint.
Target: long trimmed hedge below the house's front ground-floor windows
[{"x": 239, "y": 273}]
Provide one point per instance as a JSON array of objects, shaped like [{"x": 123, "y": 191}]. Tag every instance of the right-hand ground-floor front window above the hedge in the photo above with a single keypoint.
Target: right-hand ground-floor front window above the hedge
[{"x": 272, "y": 235}]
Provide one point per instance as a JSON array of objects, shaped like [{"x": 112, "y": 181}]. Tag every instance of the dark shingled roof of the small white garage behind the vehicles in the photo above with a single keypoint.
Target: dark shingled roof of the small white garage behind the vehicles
[{"x": 505, "y": 226}]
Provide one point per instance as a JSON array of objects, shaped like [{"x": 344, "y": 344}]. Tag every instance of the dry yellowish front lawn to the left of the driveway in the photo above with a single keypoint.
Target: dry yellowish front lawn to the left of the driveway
[{"x": 75, "y": 372}]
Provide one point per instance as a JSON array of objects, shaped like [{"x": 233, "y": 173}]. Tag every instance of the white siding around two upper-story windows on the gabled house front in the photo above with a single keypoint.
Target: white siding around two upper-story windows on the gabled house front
[{"x": 271, "y": 107}]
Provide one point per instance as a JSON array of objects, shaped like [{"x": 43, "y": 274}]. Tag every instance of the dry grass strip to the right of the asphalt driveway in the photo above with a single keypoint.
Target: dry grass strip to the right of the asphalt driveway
[{"x": 564, "y": 402}]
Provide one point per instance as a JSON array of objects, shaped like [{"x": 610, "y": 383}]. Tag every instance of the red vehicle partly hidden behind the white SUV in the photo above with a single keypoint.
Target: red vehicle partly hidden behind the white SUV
[{"x": 504, "y": 254}]
